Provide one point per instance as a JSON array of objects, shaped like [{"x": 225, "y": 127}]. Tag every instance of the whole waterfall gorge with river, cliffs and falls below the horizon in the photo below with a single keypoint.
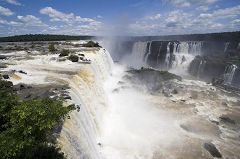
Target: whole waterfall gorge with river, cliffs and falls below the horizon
[{"x": 152, "y": 99}]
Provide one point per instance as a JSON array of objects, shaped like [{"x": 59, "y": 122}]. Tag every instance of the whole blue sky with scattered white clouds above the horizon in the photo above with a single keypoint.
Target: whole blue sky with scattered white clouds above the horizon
[{"x": 118, "y": 17}]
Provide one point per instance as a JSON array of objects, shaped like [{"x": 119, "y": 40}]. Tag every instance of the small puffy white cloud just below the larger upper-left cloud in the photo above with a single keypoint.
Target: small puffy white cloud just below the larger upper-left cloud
[{"x": 30, "y": 20}]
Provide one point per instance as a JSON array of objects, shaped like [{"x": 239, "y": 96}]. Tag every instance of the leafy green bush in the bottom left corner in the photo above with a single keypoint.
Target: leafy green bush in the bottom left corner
[{"x": 27, "y": 126}]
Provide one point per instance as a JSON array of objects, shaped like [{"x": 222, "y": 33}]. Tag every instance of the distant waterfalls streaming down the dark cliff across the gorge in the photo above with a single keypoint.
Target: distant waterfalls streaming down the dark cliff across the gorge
[{"x": 178, "y": 55}]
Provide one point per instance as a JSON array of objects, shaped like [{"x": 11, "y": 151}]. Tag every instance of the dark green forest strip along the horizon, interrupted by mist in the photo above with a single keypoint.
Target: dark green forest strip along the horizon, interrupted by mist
[{"x": 225, "y": 36}]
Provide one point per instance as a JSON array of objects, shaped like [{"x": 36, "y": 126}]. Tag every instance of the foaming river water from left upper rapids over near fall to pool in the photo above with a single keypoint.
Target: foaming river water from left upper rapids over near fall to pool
[{"x": 131, "y": 123}]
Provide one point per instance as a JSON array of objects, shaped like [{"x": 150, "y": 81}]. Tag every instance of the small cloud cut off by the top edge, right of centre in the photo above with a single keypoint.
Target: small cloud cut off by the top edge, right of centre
[{"x": 188, "y": 3}]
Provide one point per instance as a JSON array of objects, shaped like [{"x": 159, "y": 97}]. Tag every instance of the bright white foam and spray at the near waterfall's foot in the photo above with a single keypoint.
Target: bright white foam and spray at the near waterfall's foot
[{"x": 133, "y": 126}]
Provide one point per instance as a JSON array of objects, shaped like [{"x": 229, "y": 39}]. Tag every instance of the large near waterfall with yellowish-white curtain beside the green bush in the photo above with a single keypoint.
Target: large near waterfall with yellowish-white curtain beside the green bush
[{"x": 79, "y": 136}]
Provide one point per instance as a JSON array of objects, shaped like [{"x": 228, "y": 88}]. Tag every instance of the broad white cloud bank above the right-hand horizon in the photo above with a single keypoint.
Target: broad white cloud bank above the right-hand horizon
[{"x": 180, "y": 22}]
